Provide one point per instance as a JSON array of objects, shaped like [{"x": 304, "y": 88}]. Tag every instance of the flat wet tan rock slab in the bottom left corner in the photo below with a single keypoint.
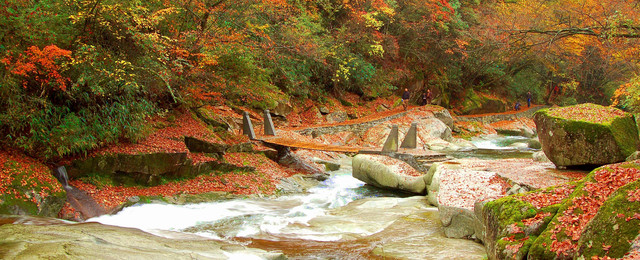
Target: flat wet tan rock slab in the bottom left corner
[{"x": 97, "y": 241}]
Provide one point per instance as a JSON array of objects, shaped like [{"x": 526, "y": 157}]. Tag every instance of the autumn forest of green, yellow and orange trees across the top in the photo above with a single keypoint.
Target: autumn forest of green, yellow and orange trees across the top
[{"x": 80, "y": 74}]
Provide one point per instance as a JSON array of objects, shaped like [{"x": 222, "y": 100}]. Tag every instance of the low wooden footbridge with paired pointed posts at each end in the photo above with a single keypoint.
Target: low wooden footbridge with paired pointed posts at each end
[{"x": 408, "y": 145}]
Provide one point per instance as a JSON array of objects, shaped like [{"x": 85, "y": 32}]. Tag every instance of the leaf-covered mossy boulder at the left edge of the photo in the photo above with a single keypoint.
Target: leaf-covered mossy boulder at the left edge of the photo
[{"x": 27, "y": 187}]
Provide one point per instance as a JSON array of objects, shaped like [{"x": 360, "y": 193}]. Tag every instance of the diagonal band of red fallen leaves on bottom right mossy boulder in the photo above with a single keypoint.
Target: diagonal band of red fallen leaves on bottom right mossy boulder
[{"x": 574, "y": 219}]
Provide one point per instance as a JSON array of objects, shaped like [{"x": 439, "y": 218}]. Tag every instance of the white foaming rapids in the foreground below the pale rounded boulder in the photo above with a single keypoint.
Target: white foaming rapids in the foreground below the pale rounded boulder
[{"x": 246, "y": 217}]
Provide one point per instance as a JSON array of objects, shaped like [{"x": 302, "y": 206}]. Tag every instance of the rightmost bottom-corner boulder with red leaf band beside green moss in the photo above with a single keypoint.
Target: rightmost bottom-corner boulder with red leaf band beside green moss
[{"x": 600, "y": 218}]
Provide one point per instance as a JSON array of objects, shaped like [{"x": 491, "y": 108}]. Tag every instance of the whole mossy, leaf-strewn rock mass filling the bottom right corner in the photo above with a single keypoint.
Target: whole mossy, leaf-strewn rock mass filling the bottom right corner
[{"x": 593, "y": 218}]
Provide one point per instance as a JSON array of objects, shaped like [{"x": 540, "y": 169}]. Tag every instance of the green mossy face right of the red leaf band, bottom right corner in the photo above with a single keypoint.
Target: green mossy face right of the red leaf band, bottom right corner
[{"x": 610, "y": 226}]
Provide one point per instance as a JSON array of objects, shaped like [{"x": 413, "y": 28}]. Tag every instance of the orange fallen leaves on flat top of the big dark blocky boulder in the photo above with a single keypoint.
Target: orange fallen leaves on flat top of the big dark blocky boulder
[{"x": 587, "y": 112}]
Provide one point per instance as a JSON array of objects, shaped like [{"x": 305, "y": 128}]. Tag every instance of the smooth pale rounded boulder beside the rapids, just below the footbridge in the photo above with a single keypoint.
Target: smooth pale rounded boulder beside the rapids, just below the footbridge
[{"x": 389, "y": 173}]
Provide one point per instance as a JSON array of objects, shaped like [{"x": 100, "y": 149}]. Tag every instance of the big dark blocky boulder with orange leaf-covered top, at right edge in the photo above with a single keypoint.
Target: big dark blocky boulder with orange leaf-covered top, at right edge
[{"x": 586, "y": 134}]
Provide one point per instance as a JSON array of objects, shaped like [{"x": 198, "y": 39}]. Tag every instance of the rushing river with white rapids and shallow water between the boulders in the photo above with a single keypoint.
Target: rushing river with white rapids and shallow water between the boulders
[{"x": 342, "y": 218}]
